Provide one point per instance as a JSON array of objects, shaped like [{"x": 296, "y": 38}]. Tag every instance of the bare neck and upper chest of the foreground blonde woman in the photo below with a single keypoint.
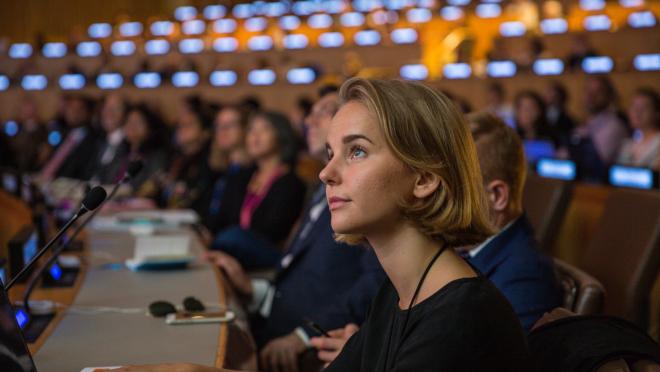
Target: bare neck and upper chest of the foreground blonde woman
[{"x": 405, "y": 253}]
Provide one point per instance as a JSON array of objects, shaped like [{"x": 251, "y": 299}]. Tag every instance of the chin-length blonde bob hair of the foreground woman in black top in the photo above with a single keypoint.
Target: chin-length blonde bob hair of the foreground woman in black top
[{"x": 427, "y": 133}]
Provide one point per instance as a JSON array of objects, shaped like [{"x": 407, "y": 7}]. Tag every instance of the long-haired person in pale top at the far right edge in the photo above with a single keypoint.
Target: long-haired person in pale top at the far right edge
[{"x": 643, "y": 150}]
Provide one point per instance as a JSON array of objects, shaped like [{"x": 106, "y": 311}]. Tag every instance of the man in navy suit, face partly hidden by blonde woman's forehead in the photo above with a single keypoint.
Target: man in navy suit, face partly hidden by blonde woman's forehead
[{"x": 344, "y": 281}]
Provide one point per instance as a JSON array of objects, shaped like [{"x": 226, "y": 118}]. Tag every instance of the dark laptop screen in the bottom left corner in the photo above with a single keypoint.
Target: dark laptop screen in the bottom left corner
[{"x": 14, "y": 354}]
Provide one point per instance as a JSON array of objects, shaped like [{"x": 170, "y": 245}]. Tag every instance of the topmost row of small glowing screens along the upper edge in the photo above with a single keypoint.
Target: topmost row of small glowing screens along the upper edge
[{"x": 308, "y": 7}]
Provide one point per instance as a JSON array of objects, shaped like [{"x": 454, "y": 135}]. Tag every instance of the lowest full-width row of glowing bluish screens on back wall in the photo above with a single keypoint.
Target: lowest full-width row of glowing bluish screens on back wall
[{"x": 306, "y": 75}]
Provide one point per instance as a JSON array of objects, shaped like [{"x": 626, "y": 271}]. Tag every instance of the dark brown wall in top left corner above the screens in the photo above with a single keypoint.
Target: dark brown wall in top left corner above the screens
[{"x": 22, "y": 20}]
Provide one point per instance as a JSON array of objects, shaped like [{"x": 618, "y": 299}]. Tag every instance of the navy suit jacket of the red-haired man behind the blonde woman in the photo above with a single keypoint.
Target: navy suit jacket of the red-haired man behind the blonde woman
[{"x": 525, "y": 276}]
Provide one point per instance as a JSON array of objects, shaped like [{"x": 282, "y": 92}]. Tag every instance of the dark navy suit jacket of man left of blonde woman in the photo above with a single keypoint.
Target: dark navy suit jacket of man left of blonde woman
[{"x": 331, "y": 283}]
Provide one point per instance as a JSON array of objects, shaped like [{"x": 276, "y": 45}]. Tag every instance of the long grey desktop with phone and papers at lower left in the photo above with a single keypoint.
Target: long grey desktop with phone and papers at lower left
[{"x": 107, "y": 325}]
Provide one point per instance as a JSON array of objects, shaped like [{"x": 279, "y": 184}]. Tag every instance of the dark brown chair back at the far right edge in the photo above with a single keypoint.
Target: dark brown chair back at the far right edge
[{"x": 624, "y": 252}]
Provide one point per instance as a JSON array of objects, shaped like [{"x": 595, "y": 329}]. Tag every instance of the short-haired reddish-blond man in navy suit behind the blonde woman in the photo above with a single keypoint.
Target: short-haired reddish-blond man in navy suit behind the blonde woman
[{"x": 511, "y": 259}]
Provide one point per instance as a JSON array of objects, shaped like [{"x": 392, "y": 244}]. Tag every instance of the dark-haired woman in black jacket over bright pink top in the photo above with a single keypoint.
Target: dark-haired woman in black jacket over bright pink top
[{"x": 260, "y": 204}]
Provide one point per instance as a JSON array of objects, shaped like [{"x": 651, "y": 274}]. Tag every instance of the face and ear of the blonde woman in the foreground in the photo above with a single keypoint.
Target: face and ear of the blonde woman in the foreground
[{"x": 365, "y": 182}]
